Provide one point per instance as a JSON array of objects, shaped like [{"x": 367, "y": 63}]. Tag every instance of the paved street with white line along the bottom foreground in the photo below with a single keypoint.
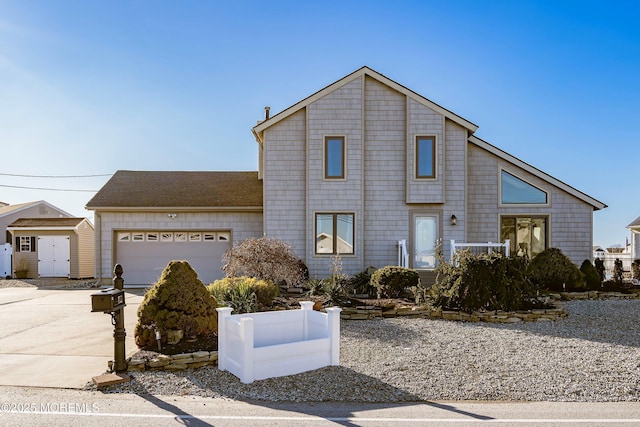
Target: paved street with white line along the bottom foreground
[{"x": 52, "y": 407}]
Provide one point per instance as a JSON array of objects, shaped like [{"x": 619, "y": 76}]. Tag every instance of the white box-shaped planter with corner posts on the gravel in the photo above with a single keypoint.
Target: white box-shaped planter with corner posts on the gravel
[{"x": 256, "y": 346}]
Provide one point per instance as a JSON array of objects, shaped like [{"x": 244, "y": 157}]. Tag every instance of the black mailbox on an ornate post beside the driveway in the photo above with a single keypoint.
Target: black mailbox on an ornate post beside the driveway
[{"x": 112, "y": 301}]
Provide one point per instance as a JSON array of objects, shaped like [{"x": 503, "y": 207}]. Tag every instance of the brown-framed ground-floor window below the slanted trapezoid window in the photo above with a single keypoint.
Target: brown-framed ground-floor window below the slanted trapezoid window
[{"x": 527, "y": 235}]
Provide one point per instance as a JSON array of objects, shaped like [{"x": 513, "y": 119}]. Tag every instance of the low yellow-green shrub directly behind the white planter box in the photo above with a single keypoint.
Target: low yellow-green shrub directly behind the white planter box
[{"x": 244, "y": 294}]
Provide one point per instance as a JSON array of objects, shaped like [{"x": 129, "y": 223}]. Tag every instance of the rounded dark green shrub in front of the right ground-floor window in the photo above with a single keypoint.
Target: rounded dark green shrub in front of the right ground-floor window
[{"x": 551, "y": 269}]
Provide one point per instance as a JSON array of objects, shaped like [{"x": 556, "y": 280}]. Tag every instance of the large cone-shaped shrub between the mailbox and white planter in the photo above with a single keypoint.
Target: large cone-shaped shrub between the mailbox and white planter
[{"x": 179, "y": 300}]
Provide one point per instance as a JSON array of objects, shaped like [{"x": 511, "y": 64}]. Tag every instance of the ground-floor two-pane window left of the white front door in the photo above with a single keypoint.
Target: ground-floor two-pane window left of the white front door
[{"x": 334, "y": 233}]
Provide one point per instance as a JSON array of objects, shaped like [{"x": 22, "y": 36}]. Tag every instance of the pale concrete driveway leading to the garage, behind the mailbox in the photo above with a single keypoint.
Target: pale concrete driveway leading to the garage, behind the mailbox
[{"x": 50, "y": 337}]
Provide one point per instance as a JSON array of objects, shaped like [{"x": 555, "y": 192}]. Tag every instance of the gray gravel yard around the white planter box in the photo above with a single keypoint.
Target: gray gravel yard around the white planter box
[{"x": 592, "y": 355}]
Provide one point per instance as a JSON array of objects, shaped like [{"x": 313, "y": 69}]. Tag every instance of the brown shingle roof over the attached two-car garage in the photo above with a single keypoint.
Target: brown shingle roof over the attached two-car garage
[{"x": 172, "y": 189}]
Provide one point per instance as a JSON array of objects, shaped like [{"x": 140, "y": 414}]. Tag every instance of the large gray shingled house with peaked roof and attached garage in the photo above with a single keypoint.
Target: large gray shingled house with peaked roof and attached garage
[{"x": 352, "y": 169}]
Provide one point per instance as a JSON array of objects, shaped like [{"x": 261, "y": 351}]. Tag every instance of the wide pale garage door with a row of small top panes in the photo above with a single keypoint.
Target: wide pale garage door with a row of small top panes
[{"x": 144, "y": 254}]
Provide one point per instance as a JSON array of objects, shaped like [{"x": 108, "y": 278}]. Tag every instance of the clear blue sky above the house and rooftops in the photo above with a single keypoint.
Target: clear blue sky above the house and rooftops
[{"x": 90, "y": 87}]
